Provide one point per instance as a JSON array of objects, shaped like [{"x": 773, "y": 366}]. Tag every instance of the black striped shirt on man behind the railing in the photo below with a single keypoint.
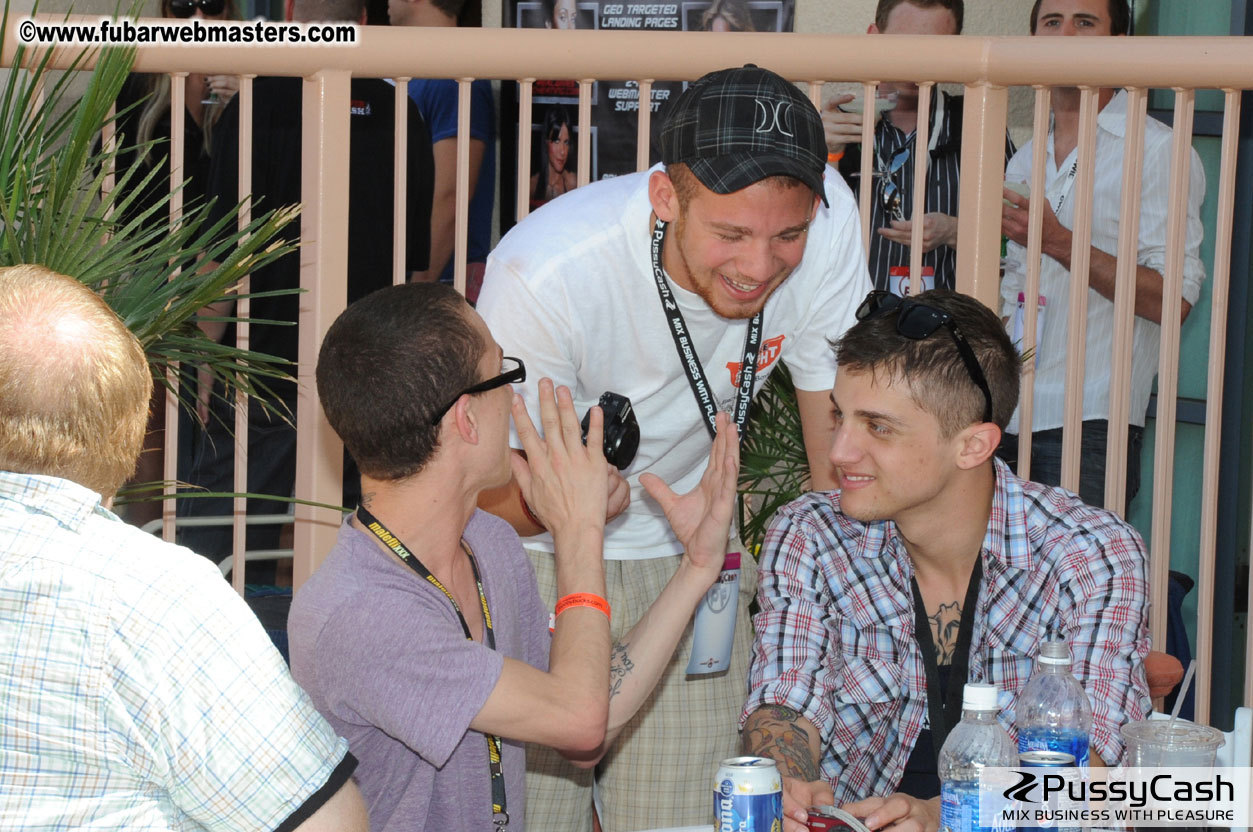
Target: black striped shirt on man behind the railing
[{"x": 943, "y": 192}]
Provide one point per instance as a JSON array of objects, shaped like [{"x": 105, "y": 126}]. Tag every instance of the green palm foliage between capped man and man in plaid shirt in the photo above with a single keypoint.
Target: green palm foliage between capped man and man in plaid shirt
[{"x": 774, "y": 467}]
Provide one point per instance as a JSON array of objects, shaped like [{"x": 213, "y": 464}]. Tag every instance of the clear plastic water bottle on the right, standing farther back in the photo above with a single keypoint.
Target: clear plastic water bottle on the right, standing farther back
[{"x": 1053, "y": 711}]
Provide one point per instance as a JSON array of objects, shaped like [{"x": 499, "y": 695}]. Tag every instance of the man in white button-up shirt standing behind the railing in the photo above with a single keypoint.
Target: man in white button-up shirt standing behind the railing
[{"x": 1094, "y": 18}]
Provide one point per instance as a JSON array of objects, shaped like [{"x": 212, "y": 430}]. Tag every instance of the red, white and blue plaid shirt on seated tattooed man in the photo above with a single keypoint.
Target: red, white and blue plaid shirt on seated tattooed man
[{"x": 835, "y": 635}]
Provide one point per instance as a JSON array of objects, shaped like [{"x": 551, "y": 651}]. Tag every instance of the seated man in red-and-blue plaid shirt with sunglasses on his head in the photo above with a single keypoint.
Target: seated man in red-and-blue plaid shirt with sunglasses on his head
[{"x": 933, "y": 566}]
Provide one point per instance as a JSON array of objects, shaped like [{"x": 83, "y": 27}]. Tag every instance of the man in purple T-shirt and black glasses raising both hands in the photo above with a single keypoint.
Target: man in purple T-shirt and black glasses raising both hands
[{"x": 423, "y": 637}]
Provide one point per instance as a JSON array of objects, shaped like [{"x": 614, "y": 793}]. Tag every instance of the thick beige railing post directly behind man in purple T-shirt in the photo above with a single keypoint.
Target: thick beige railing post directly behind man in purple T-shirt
[{"x": 325, "y": 280}]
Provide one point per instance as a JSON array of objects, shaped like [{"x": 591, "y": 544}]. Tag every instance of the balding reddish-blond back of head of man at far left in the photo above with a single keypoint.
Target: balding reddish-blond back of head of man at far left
[{"x": 75, "y": 383}]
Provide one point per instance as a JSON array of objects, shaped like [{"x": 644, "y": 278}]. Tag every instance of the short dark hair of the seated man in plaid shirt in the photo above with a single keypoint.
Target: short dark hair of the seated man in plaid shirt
[{"x": 933, "y": 369}]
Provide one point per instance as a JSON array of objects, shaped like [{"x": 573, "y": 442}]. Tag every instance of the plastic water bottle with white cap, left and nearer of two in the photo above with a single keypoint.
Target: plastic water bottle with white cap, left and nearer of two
[{"x": 977, "y": 742}]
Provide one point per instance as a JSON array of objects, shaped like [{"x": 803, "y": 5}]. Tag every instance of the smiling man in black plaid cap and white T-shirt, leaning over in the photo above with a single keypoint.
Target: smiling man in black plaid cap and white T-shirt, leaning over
[{"x": 663, "y": 286}]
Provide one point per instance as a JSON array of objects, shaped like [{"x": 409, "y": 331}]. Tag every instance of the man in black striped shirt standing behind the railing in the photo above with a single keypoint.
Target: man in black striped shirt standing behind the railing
[{"x": 892, "y": 206}]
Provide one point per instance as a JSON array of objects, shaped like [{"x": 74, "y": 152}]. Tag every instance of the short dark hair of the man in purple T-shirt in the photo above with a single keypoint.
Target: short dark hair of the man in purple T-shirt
[{"x": 388, "y": 364}]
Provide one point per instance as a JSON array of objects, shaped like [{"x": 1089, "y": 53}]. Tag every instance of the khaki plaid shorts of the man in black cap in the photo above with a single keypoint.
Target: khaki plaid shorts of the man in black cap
[{"x": 660, "y": 772}]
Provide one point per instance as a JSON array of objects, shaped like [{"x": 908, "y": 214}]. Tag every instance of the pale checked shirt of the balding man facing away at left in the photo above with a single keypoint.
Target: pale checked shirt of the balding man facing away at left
[{"x": 138, "y": 691}]
